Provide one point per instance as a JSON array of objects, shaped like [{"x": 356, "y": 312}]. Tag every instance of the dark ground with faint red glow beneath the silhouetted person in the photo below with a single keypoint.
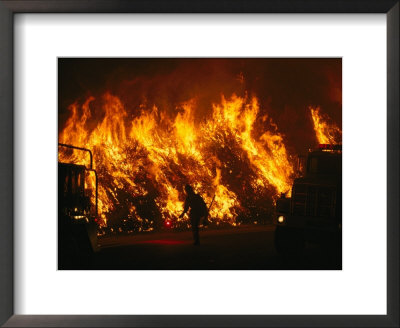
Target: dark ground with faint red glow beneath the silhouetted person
[{"x": 240, "y": 248}]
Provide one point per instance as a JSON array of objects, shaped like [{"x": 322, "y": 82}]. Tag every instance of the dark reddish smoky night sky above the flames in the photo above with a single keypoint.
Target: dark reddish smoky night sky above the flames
[{"x": 284, "y": 87}]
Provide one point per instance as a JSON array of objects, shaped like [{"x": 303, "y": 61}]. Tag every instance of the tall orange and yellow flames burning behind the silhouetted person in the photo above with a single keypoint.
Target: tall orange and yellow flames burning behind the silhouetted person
[{"x": 234, "y": 156}]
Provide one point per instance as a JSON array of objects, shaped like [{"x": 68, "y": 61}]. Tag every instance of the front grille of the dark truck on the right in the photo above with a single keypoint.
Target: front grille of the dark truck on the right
[{"x": 313, "y": 201}]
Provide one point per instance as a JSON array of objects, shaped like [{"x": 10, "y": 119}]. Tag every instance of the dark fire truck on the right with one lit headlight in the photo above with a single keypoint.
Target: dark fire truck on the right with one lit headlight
[{"x": 314, "y": 211}]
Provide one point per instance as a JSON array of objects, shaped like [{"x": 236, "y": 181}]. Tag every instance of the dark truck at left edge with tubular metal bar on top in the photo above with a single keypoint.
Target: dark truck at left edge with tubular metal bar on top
[{"x": 77, "y": 216}]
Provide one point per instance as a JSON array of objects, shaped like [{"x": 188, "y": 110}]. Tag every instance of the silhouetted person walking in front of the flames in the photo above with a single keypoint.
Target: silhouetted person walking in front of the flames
[{"x": 198, "y": 210}]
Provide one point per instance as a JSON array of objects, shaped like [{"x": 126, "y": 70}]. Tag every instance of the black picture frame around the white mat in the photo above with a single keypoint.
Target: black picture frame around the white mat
[{"x": 10, "y": 7}]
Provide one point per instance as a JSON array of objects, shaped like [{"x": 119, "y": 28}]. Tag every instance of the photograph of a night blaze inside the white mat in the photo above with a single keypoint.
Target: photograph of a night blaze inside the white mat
[{"x": 153, "y": 171}]
